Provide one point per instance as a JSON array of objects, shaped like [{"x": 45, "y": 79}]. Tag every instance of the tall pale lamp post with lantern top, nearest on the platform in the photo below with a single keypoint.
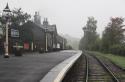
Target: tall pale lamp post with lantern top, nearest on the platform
[{"x": 6, "y": 14}]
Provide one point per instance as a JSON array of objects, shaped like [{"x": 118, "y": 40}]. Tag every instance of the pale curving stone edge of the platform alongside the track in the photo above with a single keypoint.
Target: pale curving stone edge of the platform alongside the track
[{"x": 59, "y": 74}]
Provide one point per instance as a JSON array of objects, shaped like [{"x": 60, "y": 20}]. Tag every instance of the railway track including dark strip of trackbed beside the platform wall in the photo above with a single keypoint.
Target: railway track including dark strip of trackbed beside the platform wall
[{"x": 90, "y": 68}]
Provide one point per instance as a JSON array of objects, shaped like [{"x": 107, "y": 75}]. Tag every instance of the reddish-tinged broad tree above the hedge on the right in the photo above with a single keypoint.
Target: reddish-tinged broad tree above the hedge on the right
[{"x": 113, "y": 33}]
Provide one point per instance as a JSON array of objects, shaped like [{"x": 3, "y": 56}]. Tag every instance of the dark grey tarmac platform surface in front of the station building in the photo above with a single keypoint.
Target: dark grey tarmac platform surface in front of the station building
[{"x": 30, "y": 67}]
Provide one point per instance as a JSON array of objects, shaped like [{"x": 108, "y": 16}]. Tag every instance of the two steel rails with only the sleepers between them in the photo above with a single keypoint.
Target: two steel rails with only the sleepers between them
[{"x": 97, "y": 71}]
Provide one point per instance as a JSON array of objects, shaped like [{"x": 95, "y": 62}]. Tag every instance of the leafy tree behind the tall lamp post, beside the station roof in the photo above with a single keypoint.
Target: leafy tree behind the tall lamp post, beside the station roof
[{"x": 17, "y": 18}]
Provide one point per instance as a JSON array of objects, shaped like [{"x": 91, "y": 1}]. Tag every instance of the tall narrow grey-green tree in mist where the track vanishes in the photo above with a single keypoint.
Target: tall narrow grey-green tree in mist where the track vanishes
[{"x": 88, "y": 41}]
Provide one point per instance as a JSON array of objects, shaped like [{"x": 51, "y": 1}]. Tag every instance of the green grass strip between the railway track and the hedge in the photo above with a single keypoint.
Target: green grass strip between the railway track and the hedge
[{"x": 118, "y": 60}]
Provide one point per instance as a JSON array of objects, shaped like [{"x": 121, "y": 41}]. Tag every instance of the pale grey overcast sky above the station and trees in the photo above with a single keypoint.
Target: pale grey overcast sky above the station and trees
[{"x": 71, "y": 15}]
